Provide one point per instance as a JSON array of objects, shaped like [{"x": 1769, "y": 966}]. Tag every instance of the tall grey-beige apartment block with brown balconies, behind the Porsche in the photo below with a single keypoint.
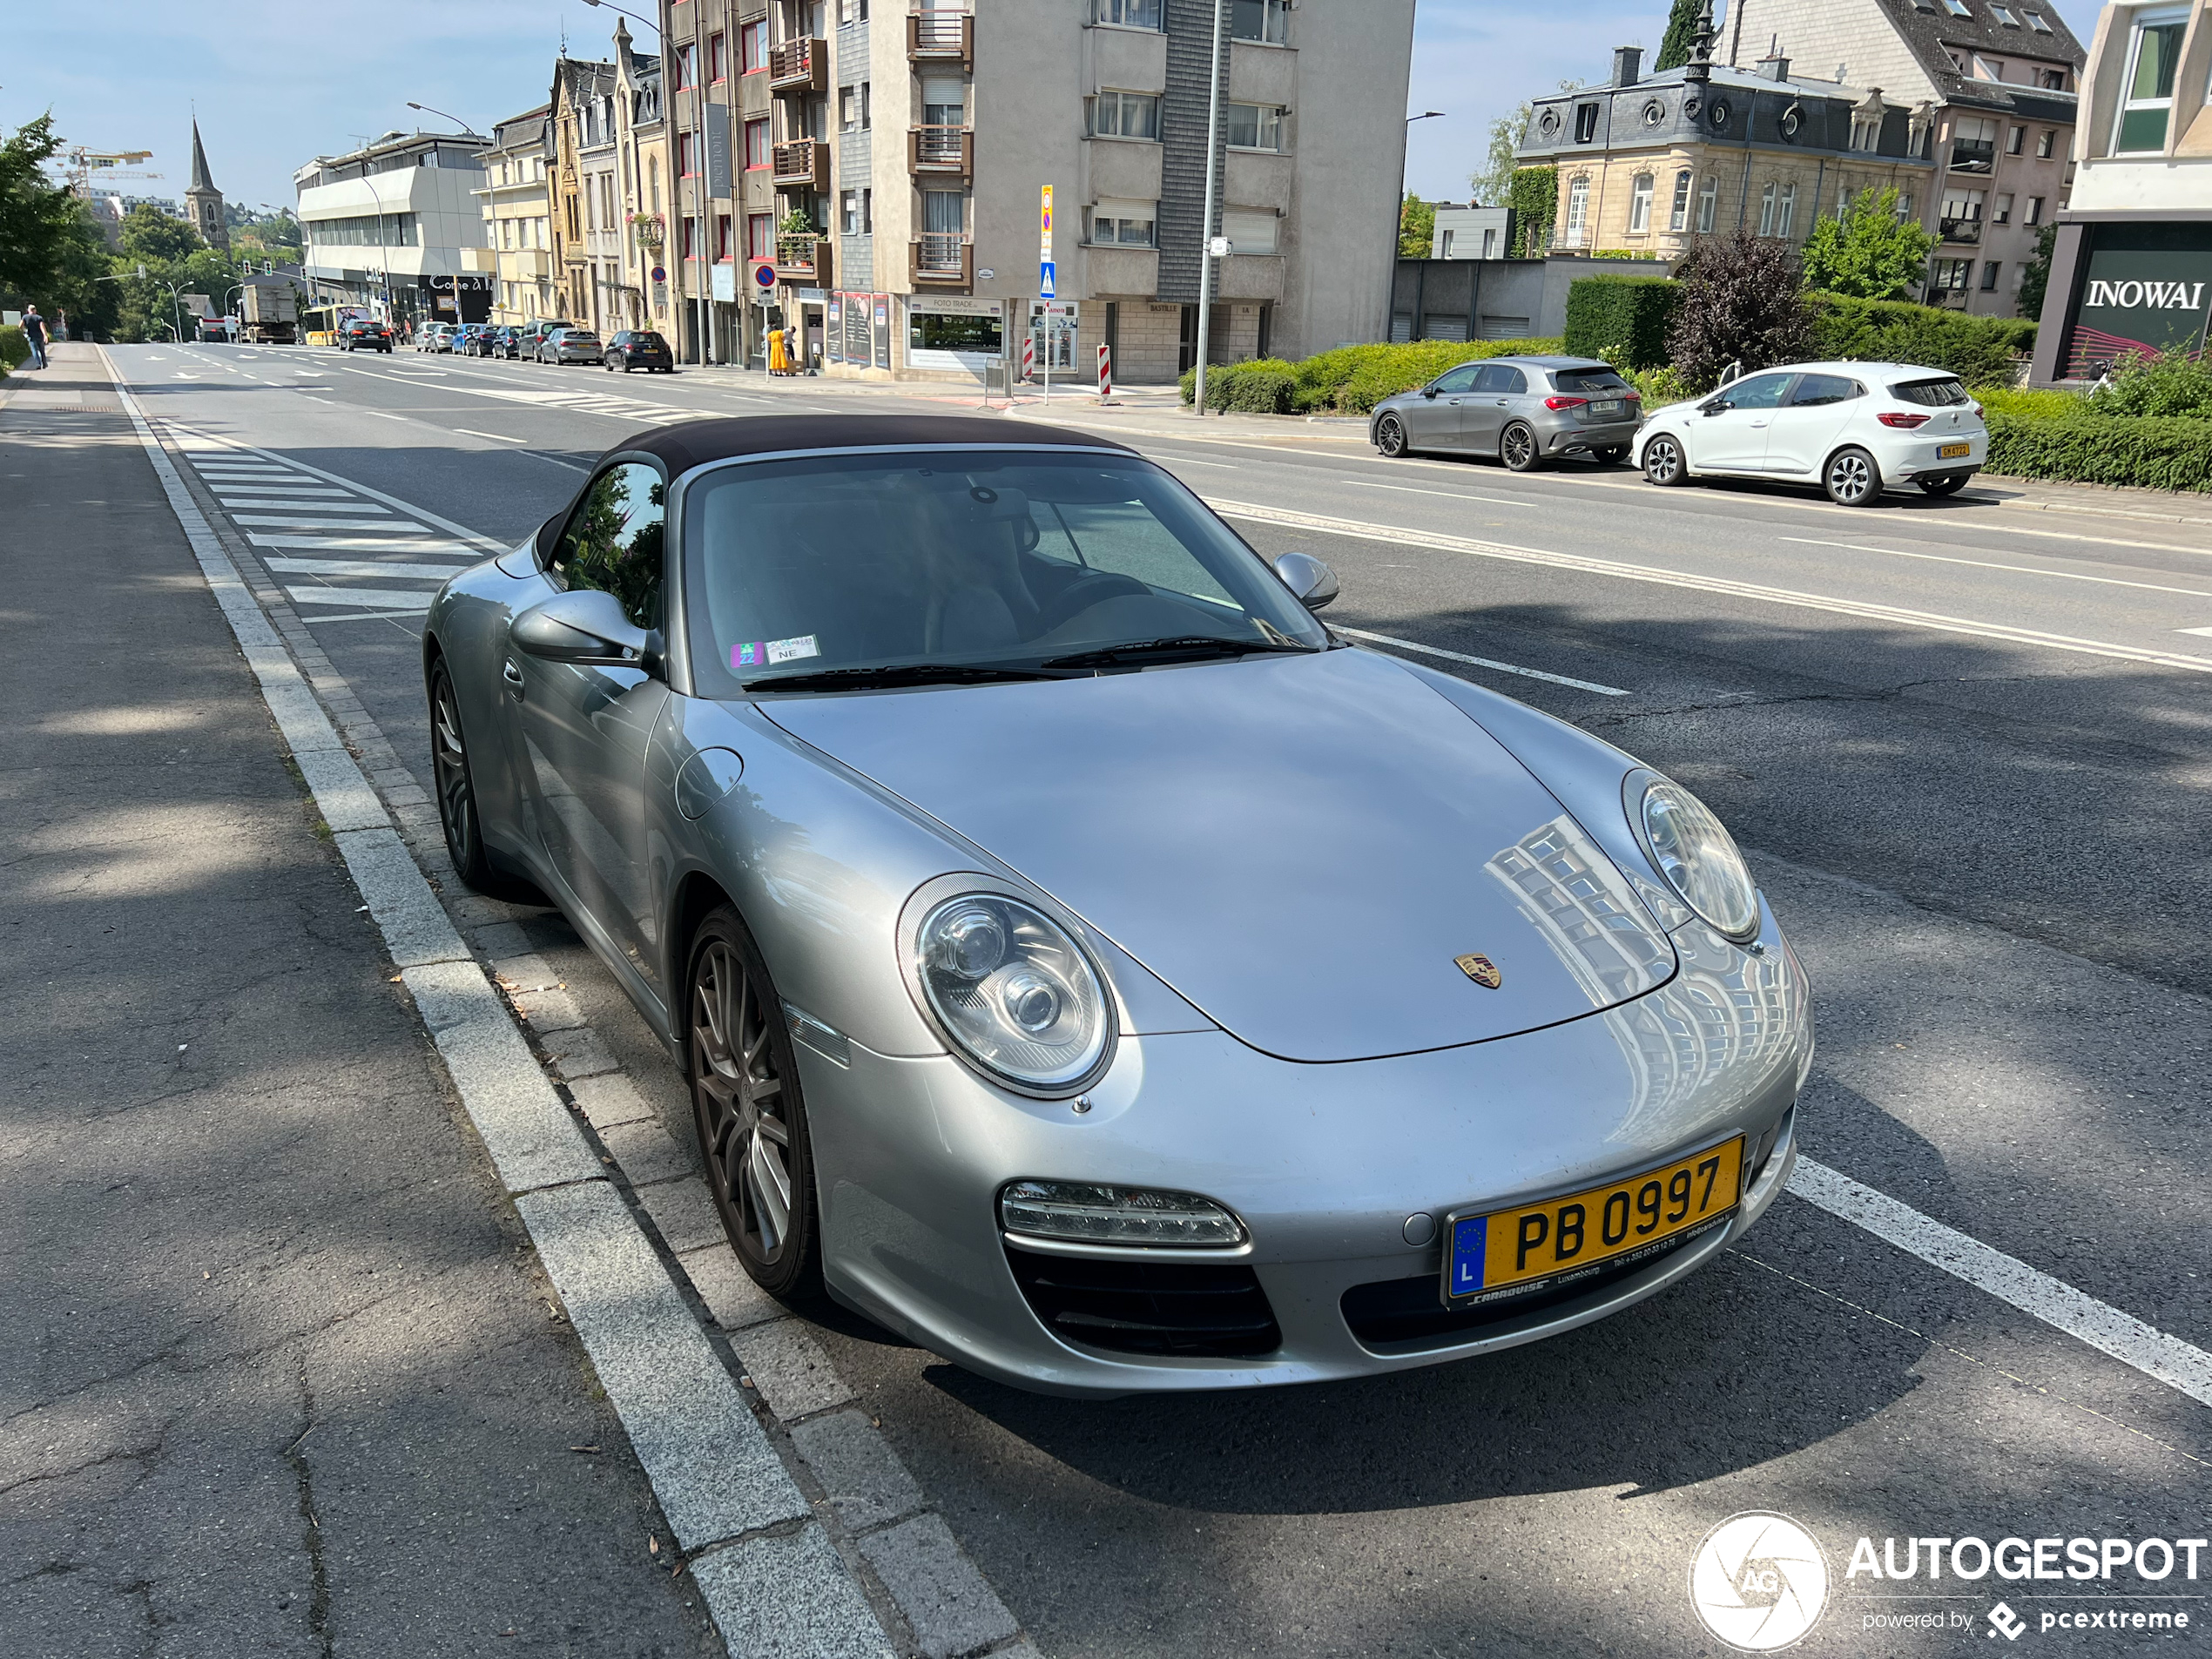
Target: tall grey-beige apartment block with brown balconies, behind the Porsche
[{"x": 895, "y": 158}]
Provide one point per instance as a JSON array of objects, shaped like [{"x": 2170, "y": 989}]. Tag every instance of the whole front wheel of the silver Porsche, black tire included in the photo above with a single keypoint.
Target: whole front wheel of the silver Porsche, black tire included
[{"x": 751, "y": 1120}]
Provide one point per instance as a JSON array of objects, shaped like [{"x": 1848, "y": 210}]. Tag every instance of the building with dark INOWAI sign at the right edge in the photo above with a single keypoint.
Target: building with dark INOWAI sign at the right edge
[{"x": 2131, "y": 267}]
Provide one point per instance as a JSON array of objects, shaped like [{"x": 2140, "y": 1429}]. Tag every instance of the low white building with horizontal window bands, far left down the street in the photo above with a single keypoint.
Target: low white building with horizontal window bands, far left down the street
[{"x": 397, "y": 227}]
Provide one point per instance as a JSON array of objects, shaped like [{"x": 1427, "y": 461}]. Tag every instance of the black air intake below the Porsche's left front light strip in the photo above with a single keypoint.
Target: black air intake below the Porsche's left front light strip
[{"x": 1185, "y": 1308}]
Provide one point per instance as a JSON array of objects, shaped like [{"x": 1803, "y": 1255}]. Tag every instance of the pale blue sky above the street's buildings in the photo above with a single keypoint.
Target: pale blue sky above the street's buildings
[{"x": 275, "y": 87}]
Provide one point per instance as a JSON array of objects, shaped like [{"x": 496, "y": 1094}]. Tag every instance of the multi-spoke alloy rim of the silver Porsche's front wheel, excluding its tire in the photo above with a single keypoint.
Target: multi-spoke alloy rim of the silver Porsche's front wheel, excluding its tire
[{"x": 744, "y": 1127}]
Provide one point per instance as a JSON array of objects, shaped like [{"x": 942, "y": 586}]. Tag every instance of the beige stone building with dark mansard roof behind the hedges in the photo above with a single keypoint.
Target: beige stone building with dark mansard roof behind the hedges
[{"x": 1651, "y": 163}]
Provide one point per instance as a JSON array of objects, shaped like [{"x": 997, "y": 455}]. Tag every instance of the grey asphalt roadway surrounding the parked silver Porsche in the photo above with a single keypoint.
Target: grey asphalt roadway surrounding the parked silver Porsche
[{"x": 1963, "y": 747}]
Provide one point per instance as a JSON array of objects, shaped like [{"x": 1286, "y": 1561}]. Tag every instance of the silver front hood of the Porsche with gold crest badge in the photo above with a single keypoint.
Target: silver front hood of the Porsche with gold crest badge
[{"x": 1300, "y": 846}]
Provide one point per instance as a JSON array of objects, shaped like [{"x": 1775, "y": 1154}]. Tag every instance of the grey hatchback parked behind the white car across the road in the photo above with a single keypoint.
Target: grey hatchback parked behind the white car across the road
[{"x": 1523, "y": 410}]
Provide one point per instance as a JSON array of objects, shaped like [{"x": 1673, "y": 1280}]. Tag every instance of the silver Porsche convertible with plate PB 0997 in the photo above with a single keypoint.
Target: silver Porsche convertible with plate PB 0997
[{"x": 1083, "y": 961}]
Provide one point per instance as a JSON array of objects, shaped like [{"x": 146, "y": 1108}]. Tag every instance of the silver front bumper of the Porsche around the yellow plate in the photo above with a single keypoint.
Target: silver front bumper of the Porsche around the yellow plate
[{"x": 1326, "y": 1167}]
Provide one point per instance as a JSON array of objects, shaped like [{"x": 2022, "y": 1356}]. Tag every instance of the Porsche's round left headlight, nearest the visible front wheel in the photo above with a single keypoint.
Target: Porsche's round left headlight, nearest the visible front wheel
[{"x": 1012, "y": 990}]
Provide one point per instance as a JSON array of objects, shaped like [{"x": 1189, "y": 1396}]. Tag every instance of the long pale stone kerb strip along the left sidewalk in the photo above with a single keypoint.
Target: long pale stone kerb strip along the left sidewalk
[{"x": 711, "y": 1465}]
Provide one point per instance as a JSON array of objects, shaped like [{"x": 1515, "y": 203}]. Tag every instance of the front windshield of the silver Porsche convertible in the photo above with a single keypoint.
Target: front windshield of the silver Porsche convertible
[{"x": 946, "y": 565}]
